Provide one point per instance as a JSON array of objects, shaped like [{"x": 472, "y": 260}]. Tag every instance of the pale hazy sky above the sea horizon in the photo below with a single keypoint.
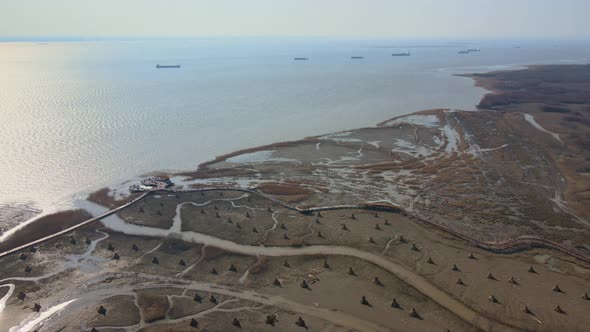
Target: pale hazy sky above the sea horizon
[{"x": 395, "y": 18}]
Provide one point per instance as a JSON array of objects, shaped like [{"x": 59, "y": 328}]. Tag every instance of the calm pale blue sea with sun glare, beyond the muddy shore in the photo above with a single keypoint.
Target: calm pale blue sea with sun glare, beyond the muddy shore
[{"x": 78, "y": 116}]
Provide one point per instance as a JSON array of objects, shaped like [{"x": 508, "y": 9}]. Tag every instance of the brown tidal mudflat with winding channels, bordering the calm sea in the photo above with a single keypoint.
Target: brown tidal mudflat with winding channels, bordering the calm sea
[{"x": 438, "y": 220}]
